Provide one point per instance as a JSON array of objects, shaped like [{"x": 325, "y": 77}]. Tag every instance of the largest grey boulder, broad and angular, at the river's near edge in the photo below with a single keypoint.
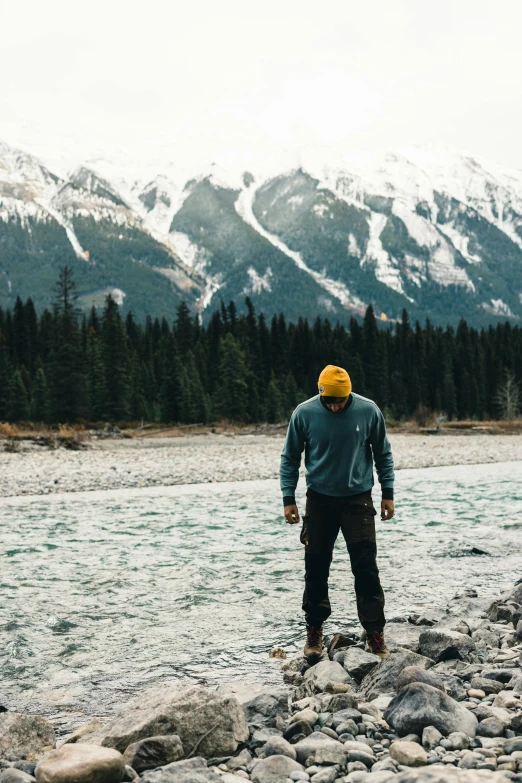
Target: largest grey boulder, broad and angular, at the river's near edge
[{"x": 205, "y": 722}]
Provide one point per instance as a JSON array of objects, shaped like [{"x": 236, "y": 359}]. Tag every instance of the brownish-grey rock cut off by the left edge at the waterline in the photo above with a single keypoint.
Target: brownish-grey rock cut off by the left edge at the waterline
[{"x": 28, "y": 734}]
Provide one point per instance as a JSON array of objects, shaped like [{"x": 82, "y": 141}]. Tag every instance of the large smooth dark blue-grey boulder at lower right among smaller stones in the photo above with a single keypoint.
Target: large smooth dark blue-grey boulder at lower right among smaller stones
[{"x": 418, "y": 705}]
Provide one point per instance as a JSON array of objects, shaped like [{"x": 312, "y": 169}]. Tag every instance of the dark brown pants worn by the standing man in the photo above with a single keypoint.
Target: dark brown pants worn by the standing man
[{"x": 355, "y": 517}]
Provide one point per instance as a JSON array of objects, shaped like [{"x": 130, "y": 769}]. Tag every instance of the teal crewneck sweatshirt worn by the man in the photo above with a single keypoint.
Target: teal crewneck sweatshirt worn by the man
[{"x": 340, "y": 449}]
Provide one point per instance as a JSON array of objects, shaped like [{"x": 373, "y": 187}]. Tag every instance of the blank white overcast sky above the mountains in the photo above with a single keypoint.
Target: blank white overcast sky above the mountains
[{"x": 231, "y": 80}]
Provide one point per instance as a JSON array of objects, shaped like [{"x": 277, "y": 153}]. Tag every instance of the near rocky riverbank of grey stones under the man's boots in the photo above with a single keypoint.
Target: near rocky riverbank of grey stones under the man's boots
[{"x": 445, "y": 706}]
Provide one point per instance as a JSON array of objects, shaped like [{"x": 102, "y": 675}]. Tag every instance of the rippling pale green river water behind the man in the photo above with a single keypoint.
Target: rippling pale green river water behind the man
[{"x": 103, "y": 593}]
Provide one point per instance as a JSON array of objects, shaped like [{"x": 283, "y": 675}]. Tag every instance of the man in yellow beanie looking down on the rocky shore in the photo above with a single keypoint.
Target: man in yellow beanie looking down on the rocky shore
[{"x": 342, "y": 434}]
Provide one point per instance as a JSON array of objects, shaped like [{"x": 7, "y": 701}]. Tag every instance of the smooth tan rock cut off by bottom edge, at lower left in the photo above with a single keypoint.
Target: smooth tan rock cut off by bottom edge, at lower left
[{"x": 80, "y": 763}]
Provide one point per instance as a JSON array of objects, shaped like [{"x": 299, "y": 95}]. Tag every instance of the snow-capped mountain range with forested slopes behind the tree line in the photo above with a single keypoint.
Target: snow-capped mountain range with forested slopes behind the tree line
[{"x": 433, "y": 230}]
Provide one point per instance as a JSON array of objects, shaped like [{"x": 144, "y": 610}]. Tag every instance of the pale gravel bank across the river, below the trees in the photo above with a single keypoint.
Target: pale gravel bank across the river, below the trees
[{"x": 146, "y": 462}]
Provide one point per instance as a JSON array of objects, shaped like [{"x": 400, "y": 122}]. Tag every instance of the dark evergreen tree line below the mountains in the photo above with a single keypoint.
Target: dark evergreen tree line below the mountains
[{"x": 65, "y": 366}]
